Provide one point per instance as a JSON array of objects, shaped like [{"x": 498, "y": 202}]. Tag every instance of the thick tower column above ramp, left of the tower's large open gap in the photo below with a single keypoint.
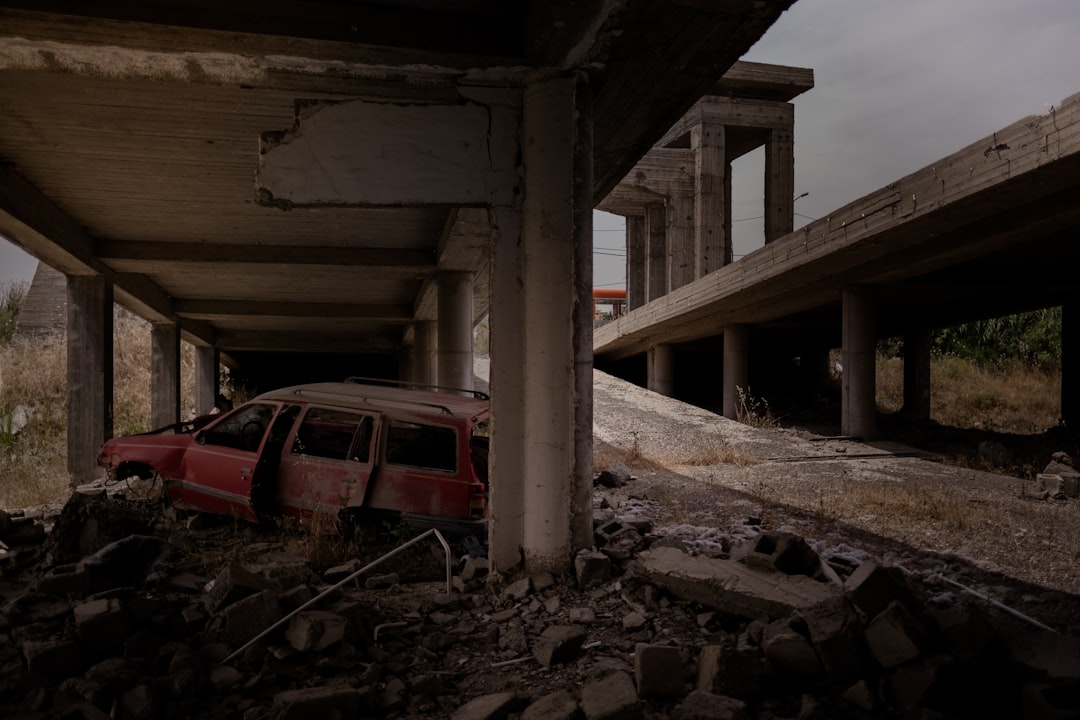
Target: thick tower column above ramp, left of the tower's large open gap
[{"x": 710, "y": 236}]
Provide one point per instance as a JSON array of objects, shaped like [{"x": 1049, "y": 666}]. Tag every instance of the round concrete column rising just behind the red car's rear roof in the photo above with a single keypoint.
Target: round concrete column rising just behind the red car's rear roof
[{"x": 455, "y": 330}]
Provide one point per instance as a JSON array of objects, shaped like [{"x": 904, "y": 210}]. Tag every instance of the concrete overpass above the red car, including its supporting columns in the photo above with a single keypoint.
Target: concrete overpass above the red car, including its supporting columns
[{"x": 350, "y": 179}]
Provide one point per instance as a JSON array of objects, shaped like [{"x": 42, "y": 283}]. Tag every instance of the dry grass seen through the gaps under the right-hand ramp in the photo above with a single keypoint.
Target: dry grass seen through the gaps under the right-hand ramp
[{"x": 1017, "y": 399}]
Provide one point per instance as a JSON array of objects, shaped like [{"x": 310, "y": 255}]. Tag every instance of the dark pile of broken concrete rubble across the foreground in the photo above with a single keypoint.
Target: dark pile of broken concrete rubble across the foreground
[{"x": 123, "y": 620}]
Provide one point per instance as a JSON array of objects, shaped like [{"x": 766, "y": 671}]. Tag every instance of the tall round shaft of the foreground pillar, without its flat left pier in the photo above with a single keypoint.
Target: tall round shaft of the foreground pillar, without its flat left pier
[{"x": 558, "y": 359}]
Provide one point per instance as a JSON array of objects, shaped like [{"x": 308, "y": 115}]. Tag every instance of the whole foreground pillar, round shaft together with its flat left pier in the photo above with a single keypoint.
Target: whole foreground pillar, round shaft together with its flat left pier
[{"x": 553, "y": 422}]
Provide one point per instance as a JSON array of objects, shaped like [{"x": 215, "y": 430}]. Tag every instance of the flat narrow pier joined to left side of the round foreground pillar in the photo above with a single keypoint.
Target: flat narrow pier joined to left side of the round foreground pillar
[{"x": 506, "y": 461}]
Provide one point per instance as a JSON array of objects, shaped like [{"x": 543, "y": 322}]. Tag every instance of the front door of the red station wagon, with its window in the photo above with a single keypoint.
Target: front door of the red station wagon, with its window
[{"x": 219, "y": 469}]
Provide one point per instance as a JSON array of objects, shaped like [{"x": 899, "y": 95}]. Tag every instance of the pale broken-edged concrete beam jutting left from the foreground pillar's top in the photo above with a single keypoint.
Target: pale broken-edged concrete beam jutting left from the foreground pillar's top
[{"x": 361, "y": 153}]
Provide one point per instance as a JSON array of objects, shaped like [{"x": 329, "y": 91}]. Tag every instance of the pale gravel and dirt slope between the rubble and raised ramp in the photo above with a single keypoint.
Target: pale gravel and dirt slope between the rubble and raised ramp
[{"x": 698, "y": 471}]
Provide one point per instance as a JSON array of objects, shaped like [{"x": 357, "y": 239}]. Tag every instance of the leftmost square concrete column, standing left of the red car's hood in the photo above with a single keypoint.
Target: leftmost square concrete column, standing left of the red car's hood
[{"x": 89, "y": 374}]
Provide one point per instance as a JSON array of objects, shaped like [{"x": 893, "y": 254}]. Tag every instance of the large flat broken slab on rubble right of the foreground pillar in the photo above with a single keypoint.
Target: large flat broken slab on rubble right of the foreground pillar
[{"x": 732, "y": 587}]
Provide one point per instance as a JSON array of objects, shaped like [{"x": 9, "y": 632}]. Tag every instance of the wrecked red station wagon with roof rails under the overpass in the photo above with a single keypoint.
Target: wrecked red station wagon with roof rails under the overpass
[{"x": 326, "y": 449}]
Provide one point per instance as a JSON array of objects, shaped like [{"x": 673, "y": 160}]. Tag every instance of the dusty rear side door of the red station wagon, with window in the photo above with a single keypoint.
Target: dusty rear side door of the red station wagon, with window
[{"x": 330, "y": 464}]
